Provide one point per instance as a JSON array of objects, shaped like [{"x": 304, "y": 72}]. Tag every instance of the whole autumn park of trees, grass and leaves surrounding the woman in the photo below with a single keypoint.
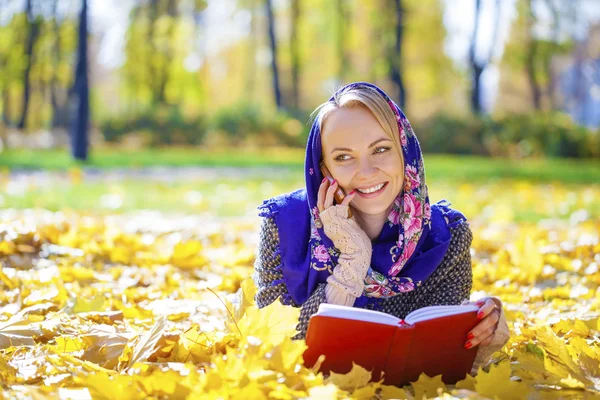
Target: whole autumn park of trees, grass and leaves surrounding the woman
[{"x": 137, "y": 139}]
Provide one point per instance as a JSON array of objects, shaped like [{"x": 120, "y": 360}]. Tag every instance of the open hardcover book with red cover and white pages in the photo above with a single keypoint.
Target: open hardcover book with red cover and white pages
[{"x": 429, "y": 340}]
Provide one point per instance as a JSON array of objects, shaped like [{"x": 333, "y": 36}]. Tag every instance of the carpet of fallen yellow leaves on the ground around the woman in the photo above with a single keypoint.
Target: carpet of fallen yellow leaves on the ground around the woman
[{"x": 142, "y": 304}]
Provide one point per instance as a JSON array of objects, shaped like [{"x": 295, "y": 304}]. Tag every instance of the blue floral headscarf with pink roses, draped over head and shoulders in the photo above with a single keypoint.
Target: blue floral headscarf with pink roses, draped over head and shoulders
[{"x": 411, "y": 245}]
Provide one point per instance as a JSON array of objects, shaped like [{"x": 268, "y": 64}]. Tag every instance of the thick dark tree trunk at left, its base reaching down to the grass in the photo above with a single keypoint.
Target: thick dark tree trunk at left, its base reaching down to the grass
[{"x": 79, "y": 136}]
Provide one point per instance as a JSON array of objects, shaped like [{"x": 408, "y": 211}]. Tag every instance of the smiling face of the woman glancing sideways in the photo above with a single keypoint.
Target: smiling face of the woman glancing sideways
[{"x": 361, "y": 156}]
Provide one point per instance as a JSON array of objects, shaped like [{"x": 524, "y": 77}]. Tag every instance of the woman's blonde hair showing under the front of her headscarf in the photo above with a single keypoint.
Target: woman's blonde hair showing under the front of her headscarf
[{"x": 364, "y": 96}]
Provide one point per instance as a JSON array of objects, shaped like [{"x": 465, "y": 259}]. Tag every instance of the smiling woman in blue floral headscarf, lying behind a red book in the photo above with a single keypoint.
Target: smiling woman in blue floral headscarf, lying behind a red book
[{"x": 384, "y": 247}]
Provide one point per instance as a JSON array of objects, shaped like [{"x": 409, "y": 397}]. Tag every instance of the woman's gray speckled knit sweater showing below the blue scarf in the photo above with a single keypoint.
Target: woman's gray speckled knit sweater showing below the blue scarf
[{"x": 450, "y": 284}]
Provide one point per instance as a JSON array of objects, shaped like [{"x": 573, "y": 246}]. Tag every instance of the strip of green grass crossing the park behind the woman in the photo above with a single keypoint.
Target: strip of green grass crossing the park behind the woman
[{"x": 438, "y": 167}]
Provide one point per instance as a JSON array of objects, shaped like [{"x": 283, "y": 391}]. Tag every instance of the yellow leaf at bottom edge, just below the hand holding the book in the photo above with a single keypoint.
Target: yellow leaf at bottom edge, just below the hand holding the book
[{"x": 497, "y": 383}]
